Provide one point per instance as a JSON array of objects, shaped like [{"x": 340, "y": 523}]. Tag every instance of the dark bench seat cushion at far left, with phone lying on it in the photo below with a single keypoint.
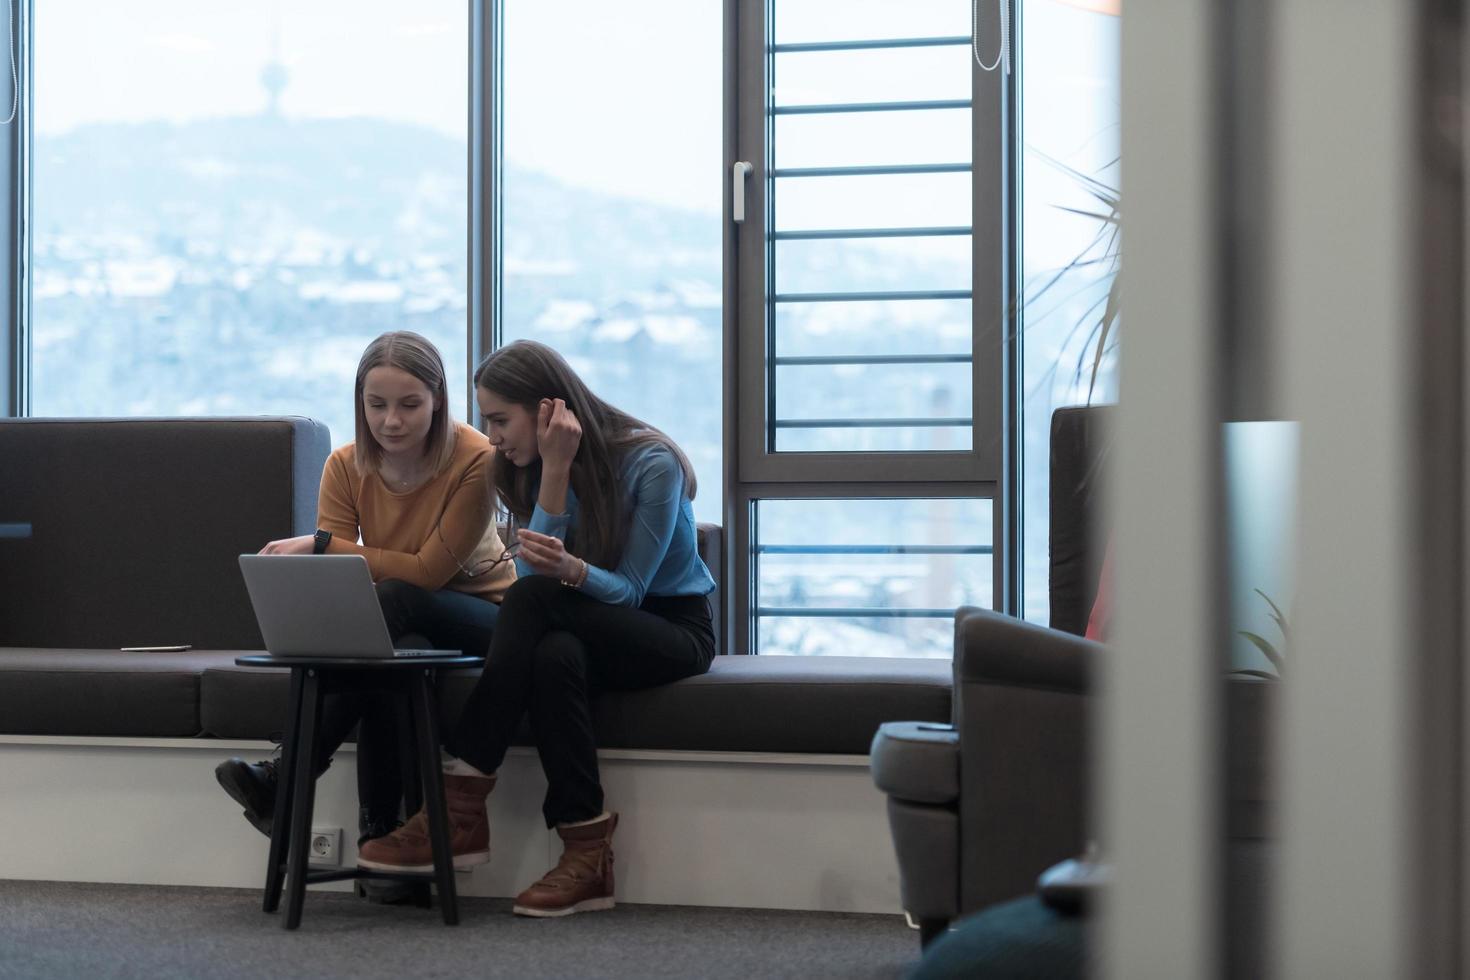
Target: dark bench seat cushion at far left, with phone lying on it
[{"x": 102, "y": 693}]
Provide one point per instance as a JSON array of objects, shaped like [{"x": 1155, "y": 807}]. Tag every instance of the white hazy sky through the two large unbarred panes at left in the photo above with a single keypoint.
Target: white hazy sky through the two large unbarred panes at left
[{"x": 593, "y": 93}]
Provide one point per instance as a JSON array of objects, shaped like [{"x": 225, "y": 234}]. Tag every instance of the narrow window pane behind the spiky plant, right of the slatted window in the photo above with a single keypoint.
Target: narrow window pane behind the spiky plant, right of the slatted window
[{"x": 1071, "y": 167}]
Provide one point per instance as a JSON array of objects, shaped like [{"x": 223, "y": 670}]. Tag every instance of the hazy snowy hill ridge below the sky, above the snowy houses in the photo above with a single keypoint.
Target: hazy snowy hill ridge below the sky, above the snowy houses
[{"x": 389, "y": 192}]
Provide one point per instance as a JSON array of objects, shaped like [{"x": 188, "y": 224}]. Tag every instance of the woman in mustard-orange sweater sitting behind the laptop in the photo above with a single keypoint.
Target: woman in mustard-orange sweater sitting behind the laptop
[{"x": 417, "y": 489}]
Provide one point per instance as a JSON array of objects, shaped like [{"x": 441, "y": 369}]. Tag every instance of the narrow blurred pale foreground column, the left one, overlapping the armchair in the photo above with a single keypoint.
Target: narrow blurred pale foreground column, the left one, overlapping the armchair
[{"x": 1158, "y": 794}]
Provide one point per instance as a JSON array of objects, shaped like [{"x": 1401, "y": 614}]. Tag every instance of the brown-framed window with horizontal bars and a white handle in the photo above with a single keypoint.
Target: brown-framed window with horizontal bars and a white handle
[{"x": 872, "y": 306}]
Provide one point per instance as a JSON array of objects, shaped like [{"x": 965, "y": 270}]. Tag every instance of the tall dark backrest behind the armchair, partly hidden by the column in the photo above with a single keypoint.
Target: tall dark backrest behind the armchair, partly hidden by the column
[{"x": 1078, "y": 444}]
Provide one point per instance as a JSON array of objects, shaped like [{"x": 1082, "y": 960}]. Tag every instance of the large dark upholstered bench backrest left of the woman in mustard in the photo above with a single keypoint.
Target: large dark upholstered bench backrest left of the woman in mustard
[{"x": 137, "y": 525}]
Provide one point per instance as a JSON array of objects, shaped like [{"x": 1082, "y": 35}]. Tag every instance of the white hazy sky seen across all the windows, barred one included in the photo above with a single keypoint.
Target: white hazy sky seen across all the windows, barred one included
[{"x": 618, "y": 98}]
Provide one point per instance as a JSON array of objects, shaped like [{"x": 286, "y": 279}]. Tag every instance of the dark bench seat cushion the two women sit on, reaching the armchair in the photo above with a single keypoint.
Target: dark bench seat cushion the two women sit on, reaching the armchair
[{"x": 768, "y": 705}]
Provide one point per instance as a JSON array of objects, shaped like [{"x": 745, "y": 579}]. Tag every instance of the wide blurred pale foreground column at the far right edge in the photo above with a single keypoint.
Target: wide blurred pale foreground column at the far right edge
[{"x": 1369, "y": 237}]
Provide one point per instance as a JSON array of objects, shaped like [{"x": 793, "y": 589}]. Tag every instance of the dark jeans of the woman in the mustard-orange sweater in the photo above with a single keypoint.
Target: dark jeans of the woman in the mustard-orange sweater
[{"x": 445, "y": 621}]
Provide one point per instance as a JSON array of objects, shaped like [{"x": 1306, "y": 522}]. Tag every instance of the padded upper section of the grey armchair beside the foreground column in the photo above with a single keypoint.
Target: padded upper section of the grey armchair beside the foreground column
[{"x": 996, "y": 649}]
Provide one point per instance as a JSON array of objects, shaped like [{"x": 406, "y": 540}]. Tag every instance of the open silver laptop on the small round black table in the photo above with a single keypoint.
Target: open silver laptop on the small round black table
[{"x": 320, "y": 606}]
